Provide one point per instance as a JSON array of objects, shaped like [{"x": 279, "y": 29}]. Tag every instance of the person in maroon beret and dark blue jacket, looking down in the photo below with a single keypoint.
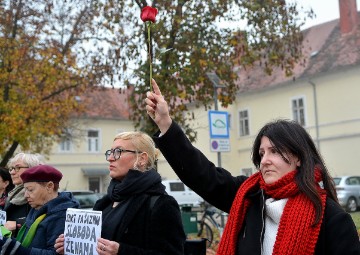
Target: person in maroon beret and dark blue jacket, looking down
[{"x": 46, "y": 219}]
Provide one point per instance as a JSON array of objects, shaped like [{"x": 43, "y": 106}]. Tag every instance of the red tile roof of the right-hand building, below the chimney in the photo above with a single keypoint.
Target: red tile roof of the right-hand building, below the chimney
[{"x": 325, "y": 50}]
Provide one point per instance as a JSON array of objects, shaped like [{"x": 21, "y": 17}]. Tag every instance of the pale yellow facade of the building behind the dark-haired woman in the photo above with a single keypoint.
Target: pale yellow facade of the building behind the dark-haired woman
[{"x": 331, "y": 109}]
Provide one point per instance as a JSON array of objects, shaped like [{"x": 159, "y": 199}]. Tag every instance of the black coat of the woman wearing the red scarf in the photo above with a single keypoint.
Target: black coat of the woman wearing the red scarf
[{"x": 338, "y": 235}]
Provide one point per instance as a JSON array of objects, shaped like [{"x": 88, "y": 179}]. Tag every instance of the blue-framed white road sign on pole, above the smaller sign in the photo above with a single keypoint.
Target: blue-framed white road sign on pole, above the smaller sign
[{"x": 218, "y": 123}]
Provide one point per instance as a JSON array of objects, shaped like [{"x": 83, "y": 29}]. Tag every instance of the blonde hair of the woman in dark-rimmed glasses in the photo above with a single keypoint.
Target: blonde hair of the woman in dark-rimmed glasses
[{"x": 142, "y": 143}]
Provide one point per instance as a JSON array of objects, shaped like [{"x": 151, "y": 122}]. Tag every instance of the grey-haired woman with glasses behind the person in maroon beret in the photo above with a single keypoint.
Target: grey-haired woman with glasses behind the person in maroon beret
[{"x": 16, "y": 206}]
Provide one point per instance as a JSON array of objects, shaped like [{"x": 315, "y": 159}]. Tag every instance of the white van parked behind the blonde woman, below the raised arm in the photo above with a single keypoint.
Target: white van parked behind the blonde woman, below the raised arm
[{"x": 182, "y": 194}]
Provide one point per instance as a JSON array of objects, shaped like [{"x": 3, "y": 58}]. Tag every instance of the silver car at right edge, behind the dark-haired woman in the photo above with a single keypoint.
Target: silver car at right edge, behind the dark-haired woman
[{"x": 348, "y": 192}]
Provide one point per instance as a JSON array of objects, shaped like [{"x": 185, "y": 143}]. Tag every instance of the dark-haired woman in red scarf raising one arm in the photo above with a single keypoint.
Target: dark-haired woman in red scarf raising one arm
[{"x": 281, "y": 209}]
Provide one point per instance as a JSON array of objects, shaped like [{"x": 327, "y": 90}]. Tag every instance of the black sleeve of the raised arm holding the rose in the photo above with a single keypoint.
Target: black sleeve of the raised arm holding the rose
[{"x": 215, "y": 185}]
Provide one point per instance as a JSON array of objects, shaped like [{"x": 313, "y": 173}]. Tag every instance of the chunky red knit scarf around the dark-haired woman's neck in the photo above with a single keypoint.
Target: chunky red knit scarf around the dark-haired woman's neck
[{"x": 296, "y": 235}]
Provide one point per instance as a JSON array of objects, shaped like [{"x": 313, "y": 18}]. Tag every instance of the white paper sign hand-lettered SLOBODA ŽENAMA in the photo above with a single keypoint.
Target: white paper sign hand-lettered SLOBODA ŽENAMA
[{"x": 82, "y": 229}]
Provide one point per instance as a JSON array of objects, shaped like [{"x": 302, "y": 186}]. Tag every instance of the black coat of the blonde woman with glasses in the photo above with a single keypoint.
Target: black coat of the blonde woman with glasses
[{"x": 146, "y": 229}]
